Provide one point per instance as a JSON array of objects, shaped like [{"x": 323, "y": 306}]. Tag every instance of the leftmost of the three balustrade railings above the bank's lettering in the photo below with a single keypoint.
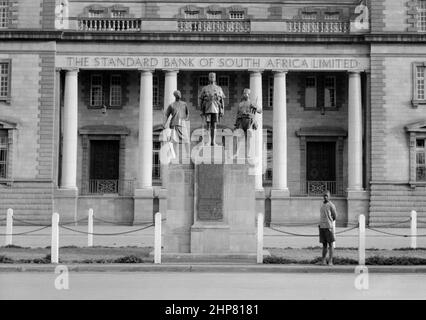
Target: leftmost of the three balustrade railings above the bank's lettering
[{"x": 109, "y": 24}]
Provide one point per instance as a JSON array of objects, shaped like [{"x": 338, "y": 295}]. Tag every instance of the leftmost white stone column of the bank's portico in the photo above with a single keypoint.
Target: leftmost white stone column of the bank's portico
[{"x": 70, "y": 117}]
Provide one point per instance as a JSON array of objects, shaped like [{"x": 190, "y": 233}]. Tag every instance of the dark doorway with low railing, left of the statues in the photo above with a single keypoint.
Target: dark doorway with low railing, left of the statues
[{"x": 104, "y": 166}]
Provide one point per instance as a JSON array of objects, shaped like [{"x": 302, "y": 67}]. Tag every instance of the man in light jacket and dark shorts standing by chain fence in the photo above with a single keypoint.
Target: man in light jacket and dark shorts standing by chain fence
[{"x": 328, "y": 214}]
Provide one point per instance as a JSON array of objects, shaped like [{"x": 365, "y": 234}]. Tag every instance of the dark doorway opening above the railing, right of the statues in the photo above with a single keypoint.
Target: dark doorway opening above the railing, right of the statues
[{"x": 321, "y": 161}]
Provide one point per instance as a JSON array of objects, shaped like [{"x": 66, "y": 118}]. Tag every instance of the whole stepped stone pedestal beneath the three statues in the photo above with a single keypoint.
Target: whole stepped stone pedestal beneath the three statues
[{"x": 211, "y": 211}]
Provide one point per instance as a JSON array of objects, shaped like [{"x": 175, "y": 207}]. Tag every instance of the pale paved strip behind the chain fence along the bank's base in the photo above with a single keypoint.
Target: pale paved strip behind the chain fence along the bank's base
[{"x": 272, "y": 239}]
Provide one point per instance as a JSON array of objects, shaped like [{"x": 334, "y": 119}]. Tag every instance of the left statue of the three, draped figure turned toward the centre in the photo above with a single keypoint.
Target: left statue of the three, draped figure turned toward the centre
[{"x": 176, "y": 114}]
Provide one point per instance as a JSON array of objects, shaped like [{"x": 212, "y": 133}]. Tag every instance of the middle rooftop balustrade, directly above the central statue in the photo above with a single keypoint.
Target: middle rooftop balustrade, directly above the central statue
[{"x": 219, "y": 26}]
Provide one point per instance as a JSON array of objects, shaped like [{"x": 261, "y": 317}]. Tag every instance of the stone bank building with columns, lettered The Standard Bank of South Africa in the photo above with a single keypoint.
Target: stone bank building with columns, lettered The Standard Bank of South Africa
[{"x": 84, "y": 86}]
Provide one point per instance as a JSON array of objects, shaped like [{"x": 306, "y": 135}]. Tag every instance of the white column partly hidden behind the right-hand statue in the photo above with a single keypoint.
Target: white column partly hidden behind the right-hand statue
[{"x": 256, "y": 97}]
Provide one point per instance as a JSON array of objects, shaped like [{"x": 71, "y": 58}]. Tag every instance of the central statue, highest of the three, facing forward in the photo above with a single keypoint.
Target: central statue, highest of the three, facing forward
[{"x": 212, "y": 105}]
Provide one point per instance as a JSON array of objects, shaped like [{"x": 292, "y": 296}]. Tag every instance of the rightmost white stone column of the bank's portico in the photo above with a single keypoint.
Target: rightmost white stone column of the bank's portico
[{"x": 354, "y": 133}]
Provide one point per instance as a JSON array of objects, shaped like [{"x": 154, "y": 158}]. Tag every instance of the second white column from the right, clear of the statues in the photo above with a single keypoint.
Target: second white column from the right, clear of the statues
[{"x": 279, "y": 177}]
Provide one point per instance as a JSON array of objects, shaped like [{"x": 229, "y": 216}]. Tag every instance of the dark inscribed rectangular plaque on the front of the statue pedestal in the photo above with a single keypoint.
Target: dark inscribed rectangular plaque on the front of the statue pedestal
[{"x": 210, "y": 192}]
